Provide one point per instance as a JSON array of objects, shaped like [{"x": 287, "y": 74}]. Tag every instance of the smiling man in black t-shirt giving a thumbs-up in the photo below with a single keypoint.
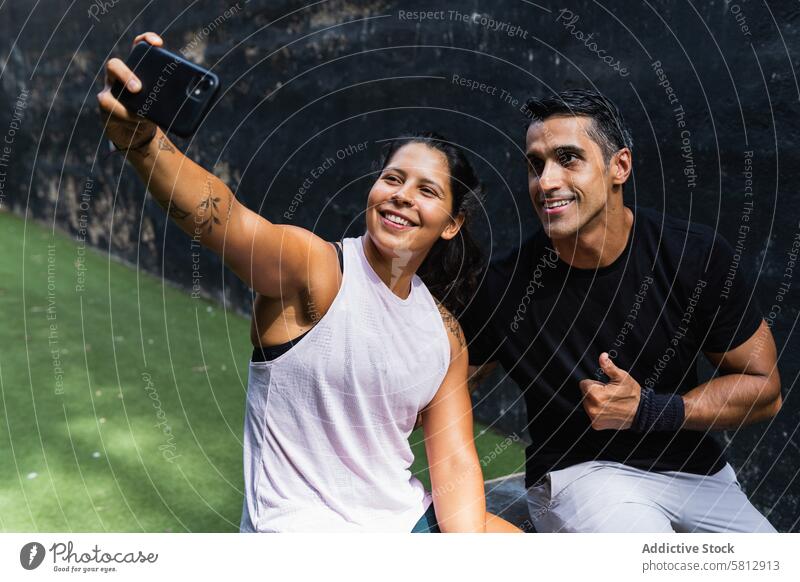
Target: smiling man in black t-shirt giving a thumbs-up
[{"x": 599, "y": 318}]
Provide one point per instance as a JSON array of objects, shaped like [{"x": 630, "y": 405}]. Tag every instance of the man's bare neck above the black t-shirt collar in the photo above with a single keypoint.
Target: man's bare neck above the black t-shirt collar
[{"x": 600, "y": 244}]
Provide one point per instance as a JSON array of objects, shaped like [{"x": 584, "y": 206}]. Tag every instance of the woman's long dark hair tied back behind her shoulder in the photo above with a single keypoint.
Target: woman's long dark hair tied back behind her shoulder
[{"x": 452, "y": 267}]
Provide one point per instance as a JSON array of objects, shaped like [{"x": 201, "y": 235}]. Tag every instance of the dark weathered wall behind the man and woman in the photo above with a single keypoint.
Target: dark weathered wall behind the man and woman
[{"x": 302, "y": 84}]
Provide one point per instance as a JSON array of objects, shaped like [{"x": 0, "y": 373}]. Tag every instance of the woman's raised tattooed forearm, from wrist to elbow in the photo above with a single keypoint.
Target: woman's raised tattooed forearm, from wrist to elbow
[{"x": 196, "y": 200}]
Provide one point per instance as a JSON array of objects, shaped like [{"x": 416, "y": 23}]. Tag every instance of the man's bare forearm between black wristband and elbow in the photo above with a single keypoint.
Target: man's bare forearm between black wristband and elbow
[{"x": 732, "y": 401}]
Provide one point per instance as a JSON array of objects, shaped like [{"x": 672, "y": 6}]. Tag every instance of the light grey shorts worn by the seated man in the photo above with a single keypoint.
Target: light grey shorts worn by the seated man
[{"x": 604, "y": 496}]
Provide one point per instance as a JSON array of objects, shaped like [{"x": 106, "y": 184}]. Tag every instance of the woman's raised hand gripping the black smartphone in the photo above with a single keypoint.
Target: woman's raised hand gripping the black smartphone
[{"x": 124, "y": 128}]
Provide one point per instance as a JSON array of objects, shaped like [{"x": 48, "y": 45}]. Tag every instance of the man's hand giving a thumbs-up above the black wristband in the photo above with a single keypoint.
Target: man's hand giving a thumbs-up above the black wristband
[{"x": 612, "y": 405}]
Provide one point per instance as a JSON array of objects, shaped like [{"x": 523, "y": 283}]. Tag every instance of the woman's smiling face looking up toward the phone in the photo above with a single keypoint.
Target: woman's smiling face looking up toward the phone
[{"x": 409, "y": 207}]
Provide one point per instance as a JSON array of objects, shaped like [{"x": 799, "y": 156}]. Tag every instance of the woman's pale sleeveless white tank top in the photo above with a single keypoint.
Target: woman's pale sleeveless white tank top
[{"x": 327, "y": 423}]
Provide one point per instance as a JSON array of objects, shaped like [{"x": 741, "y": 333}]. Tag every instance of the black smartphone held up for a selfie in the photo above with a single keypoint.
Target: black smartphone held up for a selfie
[{"x": 176, "y": 93}]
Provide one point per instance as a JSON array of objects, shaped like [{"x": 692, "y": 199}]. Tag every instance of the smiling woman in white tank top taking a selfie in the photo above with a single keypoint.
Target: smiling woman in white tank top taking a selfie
[{"x": 350, "y": 343}]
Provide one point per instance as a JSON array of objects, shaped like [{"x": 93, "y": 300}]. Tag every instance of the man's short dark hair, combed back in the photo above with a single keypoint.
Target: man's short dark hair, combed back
[{"x": 608, "y": 129}]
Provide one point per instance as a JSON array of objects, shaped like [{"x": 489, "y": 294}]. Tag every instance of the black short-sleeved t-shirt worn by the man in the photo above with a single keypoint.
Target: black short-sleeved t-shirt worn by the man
[{"x": 675, "y": 291}]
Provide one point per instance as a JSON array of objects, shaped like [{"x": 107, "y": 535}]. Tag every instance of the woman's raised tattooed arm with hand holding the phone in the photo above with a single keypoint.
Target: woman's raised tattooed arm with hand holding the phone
[{"x": 273, "y": 260}]
